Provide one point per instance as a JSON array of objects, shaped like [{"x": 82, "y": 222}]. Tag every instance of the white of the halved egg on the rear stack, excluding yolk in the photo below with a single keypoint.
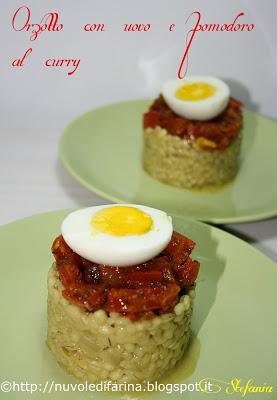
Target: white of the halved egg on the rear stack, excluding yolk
[{"x": 201, "y": 110}]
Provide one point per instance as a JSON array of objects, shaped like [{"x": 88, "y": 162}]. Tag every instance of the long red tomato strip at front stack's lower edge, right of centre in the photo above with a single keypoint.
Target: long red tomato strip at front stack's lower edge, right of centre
[{"x": 144, "y": 299}]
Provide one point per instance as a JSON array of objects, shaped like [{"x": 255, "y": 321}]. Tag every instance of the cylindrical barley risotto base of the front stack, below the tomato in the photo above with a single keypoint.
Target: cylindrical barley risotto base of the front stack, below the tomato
[{"x": 95, "y": 346}]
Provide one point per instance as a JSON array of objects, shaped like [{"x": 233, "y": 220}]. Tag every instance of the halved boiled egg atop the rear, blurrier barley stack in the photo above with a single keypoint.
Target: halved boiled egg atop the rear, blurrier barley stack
[{"x": 197, "y": 97}]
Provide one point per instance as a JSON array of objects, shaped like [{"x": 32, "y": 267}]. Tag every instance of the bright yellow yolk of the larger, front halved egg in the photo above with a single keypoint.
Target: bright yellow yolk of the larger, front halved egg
[{"x": 121, "y": 221}]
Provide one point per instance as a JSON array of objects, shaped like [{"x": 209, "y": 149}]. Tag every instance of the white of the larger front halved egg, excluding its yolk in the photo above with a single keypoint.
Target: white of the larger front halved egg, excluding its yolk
[{"x": 112, "y": 250}]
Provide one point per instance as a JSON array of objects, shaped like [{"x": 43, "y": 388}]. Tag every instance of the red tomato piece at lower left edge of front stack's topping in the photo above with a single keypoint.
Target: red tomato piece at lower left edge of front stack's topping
[{"x": 85, "y": 296}]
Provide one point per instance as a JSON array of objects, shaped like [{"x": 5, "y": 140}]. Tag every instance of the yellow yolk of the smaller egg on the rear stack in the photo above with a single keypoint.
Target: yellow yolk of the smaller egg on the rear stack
[{"x": 195, "y": 91}]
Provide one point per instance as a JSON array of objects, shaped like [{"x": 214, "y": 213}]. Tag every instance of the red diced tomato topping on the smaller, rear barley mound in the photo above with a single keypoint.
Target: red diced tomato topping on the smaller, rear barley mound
[{"x": 220, "y": 130}]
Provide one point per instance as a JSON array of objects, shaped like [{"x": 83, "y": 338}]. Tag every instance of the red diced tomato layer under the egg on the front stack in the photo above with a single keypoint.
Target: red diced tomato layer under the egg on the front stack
[{"x": 139, "y": 291}]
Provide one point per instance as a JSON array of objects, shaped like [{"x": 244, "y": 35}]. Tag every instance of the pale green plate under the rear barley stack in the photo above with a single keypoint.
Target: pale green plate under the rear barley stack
[{"x": 103, "y": 150}]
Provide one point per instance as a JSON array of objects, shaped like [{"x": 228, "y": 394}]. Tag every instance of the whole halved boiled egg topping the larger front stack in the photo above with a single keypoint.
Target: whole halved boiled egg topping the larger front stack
[{"x": 117, "y": 235}]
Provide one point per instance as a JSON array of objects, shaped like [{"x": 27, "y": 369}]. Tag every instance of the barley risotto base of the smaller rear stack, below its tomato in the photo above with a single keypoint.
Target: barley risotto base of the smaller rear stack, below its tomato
[{"x": 182, "y": 163}]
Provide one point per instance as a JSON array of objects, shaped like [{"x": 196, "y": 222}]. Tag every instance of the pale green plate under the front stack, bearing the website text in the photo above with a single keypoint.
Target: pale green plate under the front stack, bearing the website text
[{"x": 234, "y": 322}]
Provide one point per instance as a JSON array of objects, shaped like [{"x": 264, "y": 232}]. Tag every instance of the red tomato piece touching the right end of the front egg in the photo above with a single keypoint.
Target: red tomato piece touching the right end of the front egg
[{"x": 179, "y": 248}]
